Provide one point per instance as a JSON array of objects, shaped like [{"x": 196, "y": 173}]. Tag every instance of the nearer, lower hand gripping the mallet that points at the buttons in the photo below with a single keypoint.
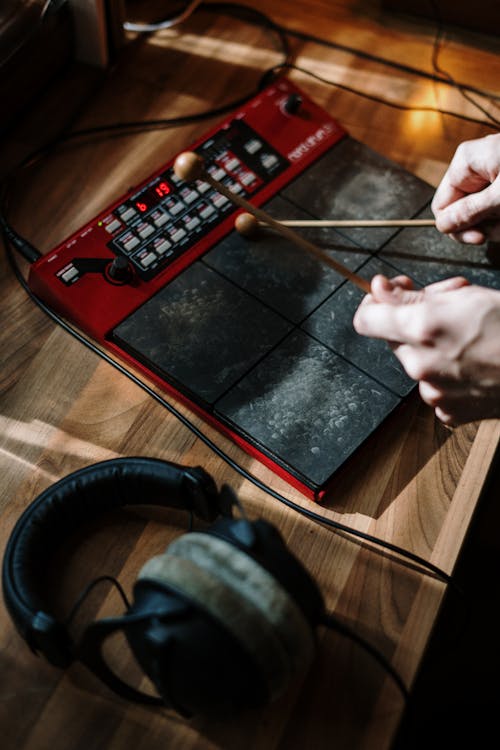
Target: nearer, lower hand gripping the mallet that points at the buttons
[{"x": 446, "y": 336}]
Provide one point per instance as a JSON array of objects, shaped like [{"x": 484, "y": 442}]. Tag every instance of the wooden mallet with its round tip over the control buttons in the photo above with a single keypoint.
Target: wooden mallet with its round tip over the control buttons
[{"x": 190, "y": 166}]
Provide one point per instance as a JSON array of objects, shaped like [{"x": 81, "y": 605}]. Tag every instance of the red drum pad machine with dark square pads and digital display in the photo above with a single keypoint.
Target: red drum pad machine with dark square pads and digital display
[{"x": 256, "y": 335}]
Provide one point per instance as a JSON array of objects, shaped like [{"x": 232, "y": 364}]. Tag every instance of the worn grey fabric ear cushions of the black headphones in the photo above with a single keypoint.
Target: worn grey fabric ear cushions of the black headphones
[{"x": 243, "y": 600}]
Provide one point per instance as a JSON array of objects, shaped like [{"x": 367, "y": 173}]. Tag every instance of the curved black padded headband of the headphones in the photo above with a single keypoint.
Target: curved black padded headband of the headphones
[{"x": 82, "y": 496}]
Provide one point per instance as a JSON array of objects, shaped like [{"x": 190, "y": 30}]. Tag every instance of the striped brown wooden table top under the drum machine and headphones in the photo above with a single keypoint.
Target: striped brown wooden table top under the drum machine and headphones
[{"x": 416, "y": 484}]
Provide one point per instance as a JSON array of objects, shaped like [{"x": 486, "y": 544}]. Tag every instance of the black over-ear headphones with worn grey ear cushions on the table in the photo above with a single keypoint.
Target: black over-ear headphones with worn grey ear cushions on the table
[{"x": 223, "y": 620}]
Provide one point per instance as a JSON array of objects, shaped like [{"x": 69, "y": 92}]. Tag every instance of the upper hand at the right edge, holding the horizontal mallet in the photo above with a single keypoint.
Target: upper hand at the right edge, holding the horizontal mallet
[{"x": 466, "y": 204}]
